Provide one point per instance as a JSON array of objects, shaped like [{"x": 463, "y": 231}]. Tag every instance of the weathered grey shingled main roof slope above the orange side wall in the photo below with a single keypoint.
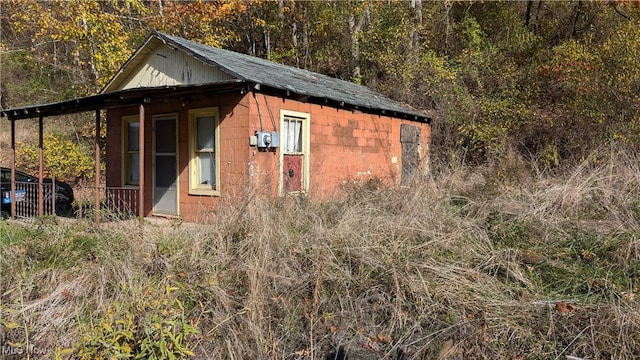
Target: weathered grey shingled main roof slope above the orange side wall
[{"x": 283, "y": 77}]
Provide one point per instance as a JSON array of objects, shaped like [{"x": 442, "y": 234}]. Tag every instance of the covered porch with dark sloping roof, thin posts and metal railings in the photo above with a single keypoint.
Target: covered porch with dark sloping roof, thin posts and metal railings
[{"x": 96, "y": 199}]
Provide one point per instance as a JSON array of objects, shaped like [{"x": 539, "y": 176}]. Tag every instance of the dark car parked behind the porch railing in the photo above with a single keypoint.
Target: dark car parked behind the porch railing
[{"x": 27, "y": 192}]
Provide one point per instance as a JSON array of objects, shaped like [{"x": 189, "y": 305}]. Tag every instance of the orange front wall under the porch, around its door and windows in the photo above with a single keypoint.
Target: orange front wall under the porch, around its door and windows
[{"x": 234, "y": 147}]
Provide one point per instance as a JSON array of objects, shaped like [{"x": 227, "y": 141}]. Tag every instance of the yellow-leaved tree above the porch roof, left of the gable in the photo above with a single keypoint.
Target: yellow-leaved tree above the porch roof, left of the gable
[{"x": 86, "y": 39}]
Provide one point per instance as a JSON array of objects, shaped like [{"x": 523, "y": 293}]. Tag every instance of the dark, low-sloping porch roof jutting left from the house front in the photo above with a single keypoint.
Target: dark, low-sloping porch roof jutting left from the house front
[{"x": 124, "y": 98}]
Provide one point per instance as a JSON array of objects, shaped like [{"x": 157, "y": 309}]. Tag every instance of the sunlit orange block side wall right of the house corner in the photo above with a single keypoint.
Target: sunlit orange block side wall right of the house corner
[{"x": 345, "y": 146}]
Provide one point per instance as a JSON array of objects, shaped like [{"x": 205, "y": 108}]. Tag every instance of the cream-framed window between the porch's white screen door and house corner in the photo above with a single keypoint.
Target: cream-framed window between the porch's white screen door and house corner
[{"x": 204, "y": 147}]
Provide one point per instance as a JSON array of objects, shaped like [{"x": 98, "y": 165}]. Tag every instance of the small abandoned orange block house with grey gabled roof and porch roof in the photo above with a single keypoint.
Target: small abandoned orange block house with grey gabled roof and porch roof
[{"x": 188, "y": 124}]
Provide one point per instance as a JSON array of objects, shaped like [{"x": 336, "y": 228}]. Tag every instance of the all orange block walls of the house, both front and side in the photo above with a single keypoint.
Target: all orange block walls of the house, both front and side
[{"x": 345, "y": 146}]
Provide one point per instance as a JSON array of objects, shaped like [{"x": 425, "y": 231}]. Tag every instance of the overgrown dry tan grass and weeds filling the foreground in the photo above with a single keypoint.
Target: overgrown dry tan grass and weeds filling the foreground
[{"x": 458, "y": 265}]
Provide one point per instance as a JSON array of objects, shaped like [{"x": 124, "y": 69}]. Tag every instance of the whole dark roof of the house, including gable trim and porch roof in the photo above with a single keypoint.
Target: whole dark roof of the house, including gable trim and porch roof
[{"x": 247, "y": 70}]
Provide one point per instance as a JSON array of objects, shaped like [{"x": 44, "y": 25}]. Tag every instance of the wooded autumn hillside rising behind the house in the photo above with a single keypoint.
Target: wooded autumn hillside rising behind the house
[{"x": 547, "y": 81}]
